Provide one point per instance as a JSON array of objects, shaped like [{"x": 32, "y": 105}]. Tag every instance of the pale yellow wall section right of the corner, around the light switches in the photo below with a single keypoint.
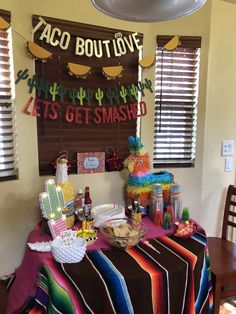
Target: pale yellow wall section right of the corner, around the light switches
[{"x": 220, "y": 113}]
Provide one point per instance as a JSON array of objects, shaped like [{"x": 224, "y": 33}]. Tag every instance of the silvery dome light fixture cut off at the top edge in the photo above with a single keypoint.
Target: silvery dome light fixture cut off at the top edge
[{"x": 149, "y": 10}]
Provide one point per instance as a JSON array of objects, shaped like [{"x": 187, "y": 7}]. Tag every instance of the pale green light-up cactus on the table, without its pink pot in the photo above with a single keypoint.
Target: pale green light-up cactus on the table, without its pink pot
[{"x": 51, "y": 201}]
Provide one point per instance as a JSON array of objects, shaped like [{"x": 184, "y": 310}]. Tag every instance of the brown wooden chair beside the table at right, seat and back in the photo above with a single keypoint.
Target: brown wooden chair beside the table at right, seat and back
[{"x": 223, "y": 254}]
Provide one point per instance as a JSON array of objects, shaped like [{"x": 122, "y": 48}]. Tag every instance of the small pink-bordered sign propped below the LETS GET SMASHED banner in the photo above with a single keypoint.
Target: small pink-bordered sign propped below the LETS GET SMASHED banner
[{"x": 90, "y": 162}]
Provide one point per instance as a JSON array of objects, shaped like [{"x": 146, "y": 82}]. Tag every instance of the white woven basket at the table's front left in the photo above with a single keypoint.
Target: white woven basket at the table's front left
[{"x": 64, "y": 254}]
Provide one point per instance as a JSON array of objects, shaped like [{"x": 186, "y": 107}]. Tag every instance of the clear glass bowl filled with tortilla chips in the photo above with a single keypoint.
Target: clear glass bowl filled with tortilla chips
[{"x": 122, "y": 233}]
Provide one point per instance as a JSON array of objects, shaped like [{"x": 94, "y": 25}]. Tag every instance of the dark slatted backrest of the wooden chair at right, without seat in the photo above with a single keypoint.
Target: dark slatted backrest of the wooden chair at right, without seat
[{"x": 229, "y": 212}]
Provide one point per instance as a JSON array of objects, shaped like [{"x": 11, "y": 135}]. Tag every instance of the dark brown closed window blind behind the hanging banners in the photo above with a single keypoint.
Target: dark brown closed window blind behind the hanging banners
[{"x": 56, "y": 135}]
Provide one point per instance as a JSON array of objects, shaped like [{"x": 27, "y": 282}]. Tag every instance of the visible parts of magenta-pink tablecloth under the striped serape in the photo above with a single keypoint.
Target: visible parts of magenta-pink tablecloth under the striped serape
[{"x": 26, "y": 275}]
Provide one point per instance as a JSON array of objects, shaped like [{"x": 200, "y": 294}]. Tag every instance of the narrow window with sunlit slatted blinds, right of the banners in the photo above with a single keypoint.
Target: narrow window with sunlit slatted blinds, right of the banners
[{"x": 176, "y": 98}]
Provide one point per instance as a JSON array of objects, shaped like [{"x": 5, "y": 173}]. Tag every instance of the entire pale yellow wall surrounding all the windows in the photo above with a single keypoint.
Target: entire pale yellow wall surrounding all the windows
[{"x": 202, "y": 186}]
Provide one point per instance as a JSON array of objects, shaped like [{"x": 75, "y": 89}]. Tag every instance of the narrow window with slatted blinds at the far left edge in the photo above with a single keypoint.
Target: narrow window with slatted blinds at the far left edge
[{"x": 7, "y": 137}]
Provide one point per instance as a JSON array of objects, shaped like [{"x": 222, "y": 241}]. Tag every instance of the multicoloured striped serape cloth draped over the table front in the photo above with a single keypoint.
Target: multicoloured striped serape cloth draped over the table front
[{"x": 160, "y": 275}]
